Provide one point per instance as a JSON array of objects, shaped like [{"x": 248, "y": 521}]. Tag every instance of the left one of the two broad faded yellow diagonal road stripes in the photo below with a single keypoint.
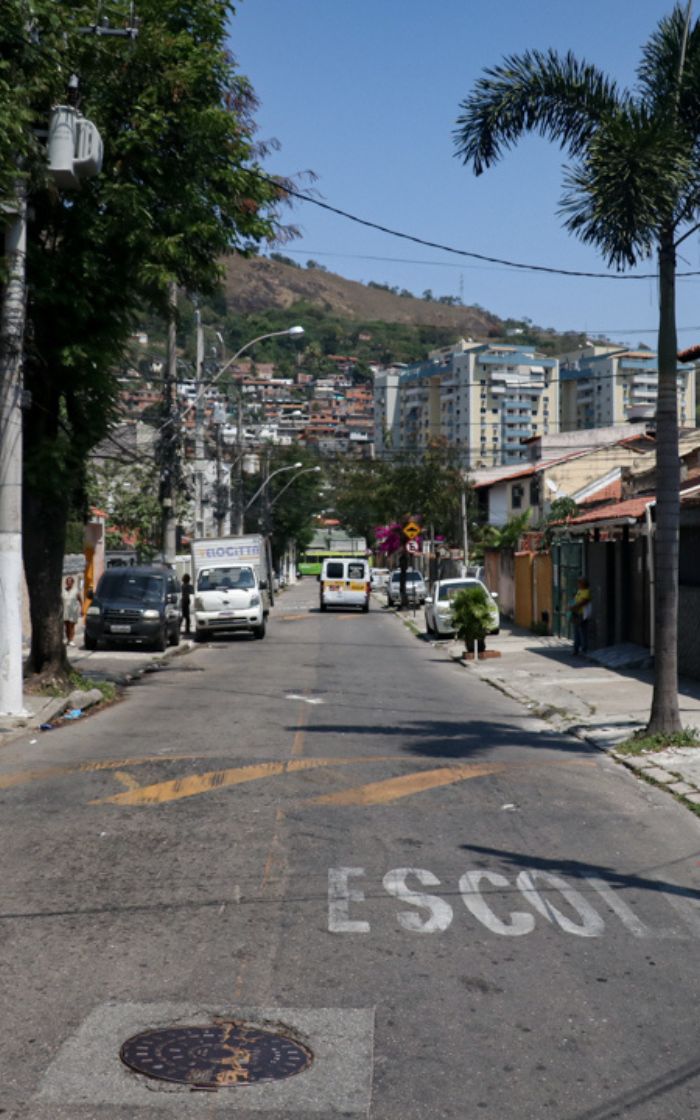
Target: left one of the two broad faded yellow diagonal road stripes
[{"x": 175, "y": 790}]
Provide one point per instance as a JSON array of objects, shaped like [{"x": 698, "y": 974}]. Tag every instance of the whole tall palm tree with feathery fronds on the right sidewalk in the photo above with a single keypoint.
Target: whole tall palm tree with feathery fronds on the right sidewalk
[{"x": 633, "y": 190}]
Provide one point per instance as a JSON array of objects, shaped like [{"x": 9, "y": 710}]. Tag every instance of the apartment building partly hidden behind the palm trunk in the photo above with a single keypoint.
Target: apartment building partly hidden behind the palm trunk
[{"x": 604, "y": 386}]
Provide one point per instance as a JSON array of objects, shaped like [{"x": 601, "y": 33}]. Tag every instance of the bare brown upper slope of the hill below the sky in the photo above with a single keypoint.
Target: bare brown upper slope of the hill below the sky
[{"x": 259, "y": 285}]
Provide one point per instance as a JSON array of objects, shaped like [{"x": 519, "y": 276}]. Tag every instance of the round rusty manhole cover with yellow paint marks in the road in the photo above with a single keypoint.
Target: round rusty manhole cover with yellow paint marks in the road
[{"x": 212, "y": 1058}]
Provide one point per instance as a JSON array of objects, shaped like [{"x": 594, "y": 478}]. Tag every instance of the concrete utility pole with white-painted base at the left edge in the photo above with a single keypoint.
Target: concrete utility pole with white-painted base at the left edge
[{"x": 12, "y": 341}]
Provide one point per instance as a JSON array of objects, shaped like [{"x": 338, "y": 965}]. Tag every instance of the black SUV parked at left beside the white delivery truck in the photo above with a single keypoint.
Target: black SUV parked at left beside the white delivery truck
[{"x": 135, "y": 605}]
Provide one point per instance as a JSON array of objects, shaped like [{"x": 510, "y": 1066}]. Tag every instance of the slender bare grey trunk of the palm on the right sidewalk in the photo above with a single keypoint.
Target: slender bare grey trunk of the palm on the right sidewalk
[{"x": 665, "y": 715}]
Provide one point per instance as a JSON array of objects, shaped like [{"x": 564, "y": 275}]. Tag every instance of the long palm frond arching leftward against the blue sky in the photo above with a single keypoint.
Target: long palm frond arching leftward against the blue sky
[{"x": 561, "y": 99}]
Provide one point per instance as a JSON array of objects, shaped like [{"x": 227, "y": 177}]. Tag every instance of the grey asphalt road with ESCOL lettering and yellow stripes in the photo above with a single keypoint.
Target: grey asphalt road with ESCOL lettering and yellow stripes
[{"x": 460, "y": 912}]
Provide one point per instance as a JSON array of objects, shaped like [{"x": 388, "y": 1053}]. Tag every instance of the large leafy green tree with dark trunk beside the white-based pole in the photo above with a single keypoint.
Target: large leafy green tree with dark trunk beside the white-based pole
[{"x": 179, "y": 189}]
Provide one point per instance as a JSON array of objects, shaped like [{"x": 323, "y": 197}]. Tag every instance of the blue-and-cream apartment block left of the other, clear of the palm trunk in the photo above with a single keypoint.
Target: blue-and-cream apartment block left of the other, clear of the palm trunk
[{"x": 483, "y": 399}]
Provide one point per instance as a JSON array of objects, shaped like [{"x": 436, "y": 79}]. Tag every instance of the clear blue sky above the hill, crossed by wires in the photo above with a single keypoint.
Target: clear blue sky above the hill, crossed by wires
[{"x": 366, "y": 95}]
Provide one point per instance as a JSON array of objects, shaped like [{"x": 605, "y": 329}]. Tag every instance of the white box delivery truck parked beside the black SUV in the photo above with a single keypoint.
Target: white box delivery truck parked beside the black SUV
[{"x": 232, "y": 585}]
